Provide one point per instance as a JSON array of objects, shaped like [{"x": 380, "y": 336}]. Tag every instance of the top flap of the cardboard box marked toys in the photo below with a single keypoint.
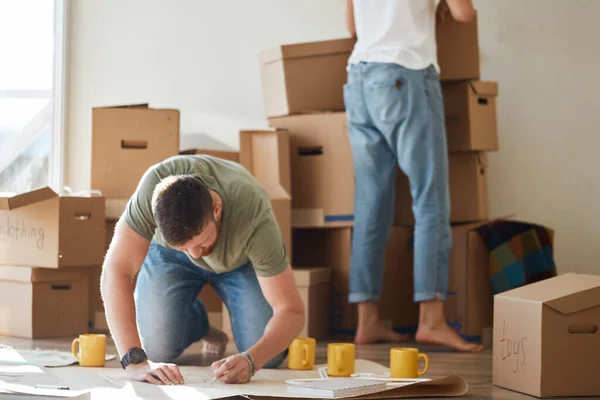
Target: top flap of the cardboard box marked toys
[{"x": 560, "y": 292}]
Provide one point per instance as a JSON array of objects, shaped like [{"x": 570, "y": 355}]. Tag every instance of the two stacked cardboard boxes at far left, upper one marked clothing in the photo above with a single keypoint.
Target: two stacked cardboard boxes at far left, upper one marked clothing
[{"x": 49, "y": 244}]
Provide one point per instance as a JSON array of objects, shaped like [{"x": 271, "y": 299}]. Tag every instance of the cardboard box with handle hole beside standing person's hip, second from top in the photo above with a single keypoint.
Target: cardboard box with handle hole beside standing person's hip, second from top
[{"x": 470, "y": 108}]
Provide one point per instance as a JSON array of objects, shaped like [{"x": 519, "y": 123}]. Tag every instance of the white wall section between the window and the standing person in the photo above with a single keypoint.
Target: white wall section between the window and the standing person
[{"x": 200, "y": 56}]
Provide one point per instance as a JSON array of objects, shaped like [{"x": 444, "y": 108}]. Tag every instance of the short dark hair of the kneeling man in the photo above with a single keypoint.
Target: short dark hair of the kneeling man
[{"x": 182, "y": 207}]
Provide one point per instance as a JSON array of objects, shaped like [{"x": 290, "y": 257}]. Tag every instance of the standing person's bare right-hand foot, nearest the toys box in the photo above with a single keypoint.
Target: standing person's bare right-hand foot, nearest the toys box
[{"x": 433, "y": 329}]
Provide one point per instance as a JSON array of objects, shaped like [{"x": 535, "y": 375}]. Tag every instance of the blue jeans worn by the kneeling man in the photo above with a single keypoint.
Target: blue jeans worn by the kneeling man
[{"x": 170, "y": 317}]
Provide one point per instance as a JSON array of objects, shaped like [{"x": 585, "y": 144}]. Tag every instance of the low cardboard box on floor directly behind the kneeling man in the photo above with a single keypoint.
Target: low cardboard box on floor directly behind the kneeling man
[{"x": 314, "y": 286}]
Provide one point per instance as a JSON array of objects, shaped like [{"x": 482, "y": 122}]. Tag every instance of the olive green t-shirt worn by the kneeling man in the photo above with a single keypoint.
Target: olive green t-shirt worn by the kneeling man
[{"x": 249, "y": 230}]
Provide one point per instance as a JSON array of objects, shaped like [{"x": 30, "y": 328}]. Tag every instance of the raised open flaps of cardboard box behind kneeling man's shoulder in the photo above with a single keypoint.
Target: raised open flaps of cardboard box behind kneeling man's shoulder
[{"x": 266, "y": 154}]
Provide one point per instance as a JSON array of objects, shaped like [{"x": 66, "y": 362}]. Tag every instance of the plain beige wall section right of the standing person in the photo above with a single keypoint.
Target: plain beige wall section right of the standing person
[{"x": 546, "y": 58}]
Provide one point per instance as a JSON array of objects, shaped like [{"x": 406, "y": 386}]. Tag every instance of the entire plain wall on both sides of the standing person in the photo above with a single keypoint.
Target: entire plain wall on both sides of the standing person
[{"x": 201, "y": 57}]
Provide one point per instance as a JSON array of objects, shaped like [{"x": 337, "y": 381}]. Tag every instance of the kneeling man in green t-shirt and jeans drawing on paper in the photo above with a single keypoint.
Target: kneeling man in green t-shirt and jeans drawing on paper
[{"x": 197, "y": 220}]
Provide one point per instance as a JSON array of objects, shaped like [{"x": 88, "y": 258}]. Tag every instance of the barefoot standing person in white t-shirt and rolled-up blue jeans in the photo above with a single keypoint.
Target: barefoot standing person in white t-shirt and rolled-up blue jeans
[{"x": 396, "y": 117}]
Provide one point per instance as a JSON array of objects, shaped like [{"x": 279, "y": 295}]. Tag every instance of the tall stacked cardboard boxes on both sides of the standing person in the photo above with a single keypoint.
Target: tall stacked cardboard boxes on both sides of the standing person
[{"x": 303, "y": 93}]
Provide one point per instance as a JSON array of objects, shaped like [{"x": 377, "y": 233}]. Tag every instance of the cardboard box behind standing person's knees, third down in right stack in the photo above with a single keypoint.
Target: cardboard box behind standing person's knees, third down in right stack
[{"x": 468, "y": 190}]
